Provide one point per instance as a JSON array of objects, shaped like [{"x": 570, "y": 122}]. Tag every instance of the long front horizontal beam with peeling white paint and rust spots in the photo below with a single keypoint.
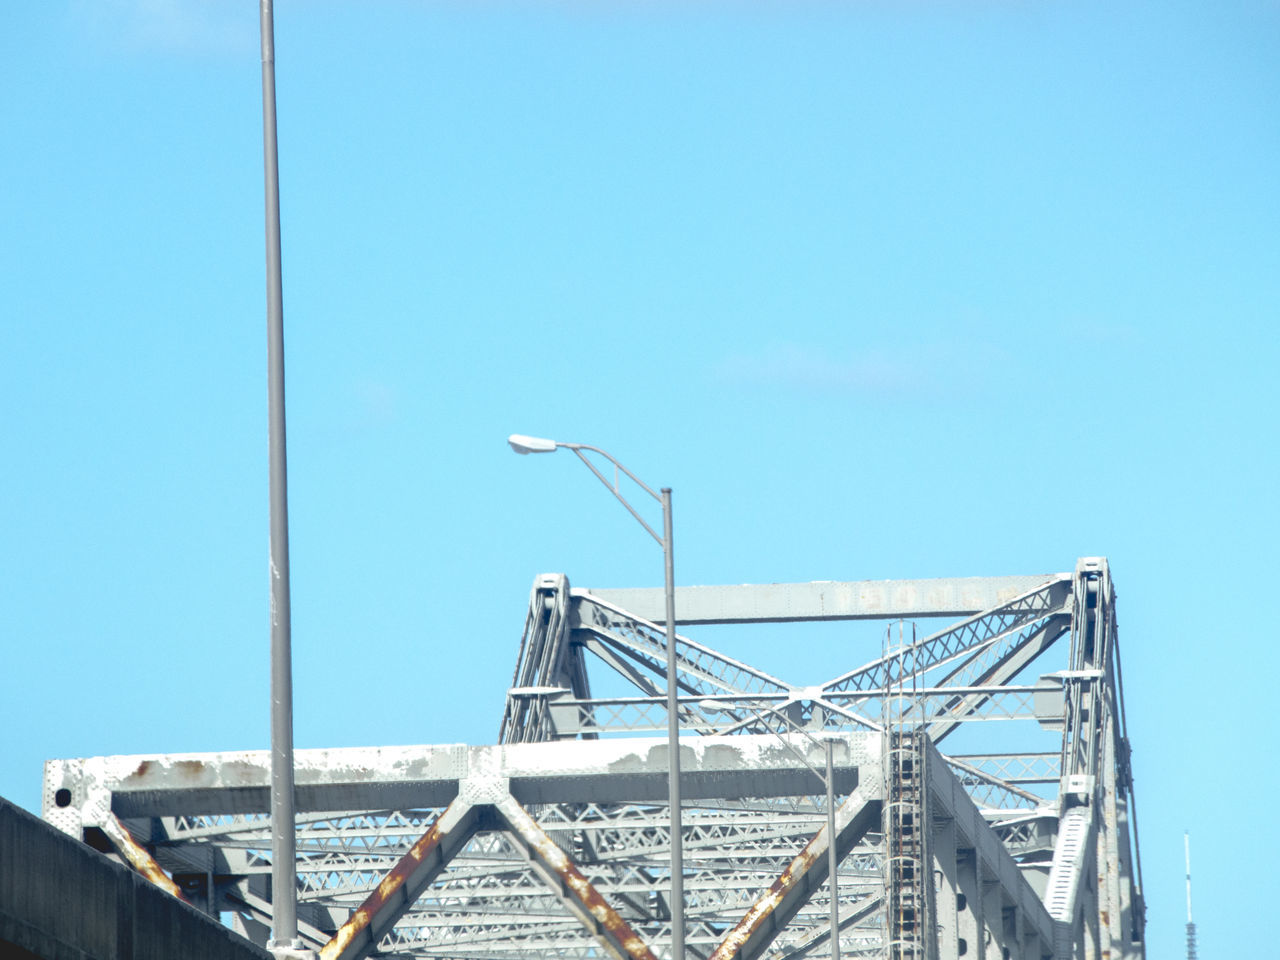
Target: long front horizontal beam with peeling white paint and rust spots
[{"x": 413, "y": 778}]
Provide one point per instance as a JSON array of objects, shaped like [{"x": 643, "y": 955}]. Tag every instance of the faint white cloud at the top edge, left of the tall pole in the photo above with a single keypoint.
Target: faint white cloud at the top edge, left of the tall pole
[{"x": 185, "y": 28}]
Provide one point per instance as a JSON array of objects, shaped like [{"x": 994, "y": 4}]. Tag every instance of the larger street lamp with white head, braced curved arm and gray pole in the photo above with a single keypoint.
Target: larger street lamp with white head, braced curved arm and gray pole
[{"x": 537, "y": 445}]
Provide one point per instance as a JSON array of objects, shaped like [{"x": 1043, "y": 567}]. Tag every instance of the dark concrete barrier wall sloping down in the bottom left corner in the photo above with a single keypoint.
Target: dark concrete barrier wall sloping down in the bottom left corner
[{"x": 62, "y": 900}]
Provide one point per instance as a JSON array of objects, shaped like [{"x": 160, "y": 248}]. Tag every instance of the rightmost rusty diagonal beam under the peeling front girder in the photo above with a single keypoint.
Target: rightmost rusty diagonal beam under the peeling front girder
[{"x": 803, "y": 877}]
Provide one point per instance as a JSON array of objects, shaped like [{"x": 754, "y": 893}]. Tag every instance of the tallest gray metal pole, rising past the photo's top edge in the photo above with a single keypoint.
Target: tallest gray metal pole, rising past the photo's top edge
[{"x": 285, "y": 921}]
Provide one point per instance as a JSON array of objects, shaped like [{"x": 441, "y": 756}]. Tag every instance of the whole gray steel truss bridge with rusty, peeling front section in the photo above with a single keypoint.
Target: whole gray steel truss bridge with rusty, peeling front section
[{"x": 980, "y": 767}]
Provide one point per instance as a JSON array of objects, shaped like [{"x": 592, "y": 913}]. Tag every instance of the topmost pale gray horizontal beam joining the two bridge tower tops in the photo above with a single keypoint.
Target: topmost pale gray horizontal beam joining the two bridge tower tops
[{"x": 826, "y": 600}]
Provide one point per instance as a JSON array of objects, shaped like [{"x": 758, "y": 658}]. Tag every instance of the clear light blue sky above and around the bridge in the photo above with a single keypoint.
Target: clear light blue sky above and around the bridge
[{"x": 881, "y": 290}]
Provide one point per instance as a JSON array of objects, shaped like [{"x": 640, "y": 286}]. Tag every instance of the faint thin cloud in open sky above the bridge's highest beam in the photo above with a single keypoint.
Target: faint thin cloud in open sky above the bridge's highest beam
[{"x": 889, "y": 372}]
